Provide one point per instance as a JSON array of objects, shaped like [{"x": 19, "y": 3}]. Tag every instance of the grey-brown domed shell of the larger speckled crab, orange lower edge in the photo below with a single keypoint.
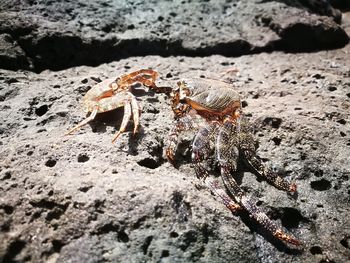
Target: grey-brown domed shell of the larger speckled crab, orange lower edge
[{"x": 209, "y": 95}]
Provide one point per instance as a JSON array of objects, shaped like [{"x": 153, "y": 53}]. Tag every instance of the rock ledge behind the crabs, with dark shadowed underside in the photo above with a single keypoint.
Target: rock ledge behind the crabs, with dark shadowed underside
[{"x": 59, "y": 34}]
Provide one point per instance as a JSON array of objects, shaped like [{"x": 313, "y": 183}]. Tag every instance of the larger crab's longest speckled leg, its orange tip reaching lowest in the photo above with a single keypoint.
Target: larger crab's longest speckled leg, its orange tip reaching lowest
[{"x": 227, "y": 154}]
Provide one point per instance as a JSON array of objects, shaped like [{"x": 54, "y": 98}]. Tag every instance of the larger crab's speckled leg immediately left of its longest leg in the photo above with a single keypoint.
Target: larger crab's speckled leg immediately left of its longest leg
[{"x": 201, "y": 150}]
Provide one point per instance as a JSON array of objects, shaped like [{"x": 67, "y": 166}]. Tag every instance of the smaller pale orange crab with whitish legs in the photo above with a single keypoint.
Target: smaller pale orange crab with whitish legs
[{"x": 114, "y": 93}]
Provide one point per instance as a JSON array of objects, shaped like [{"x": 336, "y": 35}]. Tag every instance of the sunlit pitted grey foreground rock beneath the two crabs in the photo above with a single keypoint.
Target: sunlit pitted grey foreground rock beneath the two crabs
[{"x": 80, "y": 198}]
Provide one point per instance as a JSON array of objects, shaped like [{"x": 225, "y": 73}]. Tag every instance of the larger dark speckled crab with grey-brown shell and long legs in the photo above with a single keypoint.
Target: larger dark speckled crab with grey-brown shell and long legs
[{"x": 213, "y": 109}]
